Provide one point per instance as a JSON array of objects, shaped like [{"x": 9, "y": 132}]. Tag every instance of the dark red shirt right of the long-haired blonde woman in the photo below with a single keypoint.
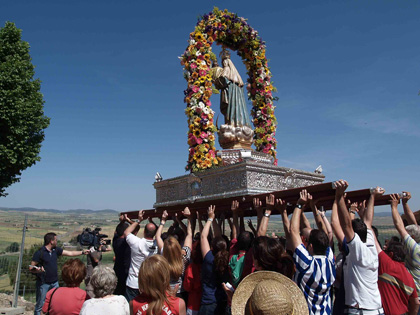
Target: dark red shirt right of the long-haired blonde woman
[{"x": 192, "y": 284}]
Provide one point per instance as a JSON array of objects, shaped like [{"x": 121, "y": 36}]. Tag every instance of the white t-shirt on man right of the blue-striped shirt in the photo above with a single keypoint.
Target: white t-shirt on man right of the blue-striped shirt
[{"x": 361, "y": 273}]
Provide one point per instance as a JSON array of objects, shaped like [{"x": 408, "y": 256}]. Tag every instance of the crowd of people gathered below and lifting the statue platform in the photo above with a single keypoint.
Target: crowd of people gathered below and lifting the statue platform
[{"x": 182, "y": 271}]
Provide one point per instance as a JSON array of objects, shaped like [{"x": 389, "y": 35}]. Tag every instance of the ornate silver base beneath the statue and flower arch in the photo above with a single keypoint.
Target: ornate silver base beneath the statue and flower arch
[{"x": 243, "y": 173}]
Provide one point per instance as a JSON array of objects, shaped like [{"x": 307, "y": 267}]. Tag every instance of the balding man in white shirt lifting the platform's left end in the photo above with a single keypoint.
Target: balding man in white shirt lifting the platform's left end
[{"x": 141, "y": 248}]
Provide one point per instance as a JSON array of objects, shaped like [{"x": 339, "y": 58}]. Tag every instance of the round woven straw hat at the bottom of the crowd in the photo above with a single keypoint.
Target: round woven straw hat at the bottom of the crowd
[{"x": 268, "y": 293}]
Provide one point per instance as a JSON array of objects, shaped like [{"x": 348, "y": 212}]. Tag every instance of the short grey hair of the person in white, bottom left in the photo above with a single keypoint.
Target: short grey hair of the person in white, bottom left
[{"x": 103, "y": 281}]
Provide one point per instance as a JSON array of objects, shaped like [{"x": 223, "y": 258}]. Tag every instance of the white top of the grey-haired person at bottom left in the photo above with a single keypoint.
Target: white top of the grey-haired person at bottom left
[{"x": 114, "y": 305}]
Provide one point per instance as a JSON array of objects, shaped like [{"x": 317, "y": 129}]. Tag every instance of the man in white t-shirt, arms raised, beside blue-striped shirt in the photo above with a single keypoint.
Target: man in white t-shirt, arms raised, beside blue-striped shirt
[{"x": 361, "y": 267}]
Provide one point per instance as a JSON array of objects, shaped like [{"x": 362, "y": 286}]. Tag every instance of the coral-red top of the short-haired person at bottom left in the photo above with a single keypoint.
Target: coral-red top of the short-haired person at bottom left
[{"x": 65, "y": 301}]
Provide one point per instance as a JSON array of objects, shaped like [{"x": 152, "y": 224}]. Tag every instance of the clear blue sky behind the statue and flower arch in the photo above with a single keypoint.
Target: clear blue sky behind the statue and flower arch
[{"x": 347, "y": 74}]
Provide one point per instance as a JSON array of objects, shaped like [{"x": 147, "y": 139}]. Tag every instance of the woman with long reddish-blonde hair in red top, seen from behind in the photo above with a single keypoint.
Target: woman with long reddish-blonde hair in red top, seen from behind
[{"x": 154, "y": 299}]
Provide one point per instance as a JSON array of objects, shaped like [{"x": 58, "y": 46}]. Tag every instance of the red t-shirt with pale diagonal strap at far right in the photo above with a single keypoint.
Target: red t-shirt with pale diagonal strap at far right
[{"x": 396, "y": 285}]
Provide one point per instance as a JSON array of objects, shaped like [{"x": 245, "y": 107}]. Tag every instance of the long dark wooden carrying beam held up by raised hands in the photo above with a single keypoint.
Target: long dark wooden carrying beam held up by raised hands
[{"x": 324, "y": 193}]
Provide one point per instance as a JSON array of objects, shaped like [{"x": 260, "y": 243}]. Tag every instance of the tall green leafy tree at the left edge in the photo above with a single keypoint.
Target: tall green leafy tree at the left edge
[{"x": 22, "y": 120}]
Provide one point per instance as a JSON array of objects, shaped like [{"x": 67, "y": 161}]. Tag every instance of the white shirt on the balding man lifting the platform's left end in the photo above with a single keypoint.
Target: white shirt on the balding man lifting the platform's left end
[{"x": 141, "y": 248}]
